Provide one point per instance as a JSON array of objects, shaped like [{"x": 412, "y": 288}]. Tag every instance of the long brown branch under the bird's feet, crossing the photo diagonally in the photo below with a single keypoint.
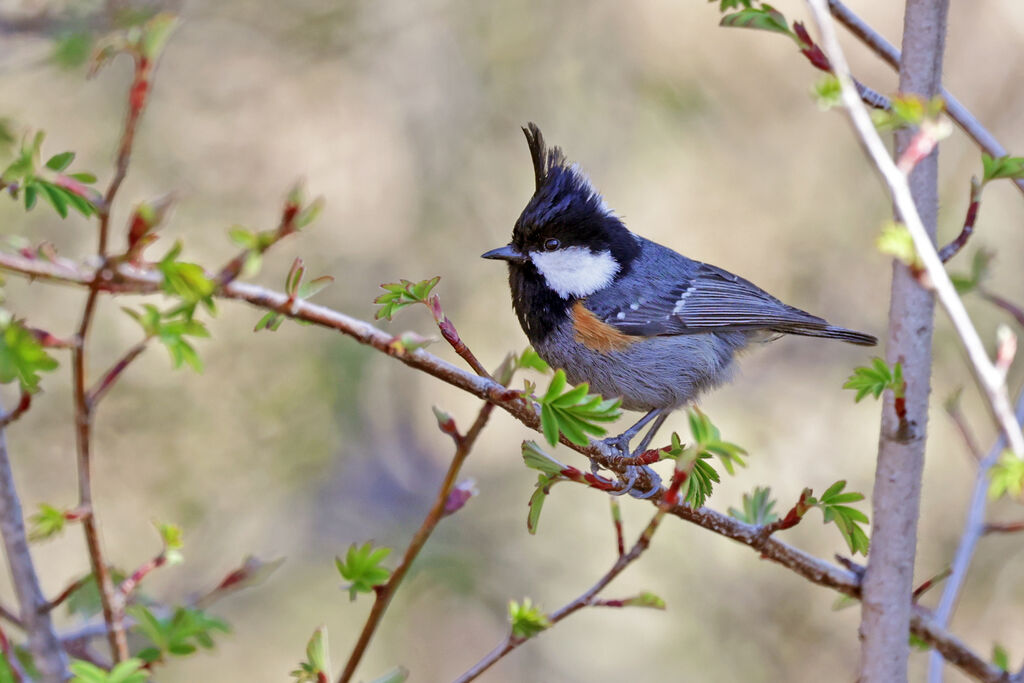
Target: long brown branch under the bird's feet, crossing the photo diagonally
[{"x": 140, "y": 281}]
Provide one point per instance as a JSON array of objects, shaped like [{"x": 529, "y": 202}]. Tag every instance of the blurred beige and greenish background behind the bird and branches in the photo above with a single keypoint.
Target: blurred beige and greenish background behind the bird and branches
[{"x": 406, "y": 118}]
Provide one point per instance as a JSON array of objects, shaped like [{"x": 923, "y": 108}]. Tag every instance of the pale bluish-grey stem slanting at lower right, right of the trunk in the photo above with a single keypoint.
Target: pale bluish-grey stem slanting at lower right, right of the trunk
[{"x": 974, "y": 529}]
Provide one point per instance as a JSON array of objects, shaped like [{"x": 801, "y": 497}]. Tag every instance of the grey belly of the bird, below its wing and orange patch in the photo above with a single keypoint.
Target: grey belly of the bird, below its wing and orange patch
[{"x": 660, "y": 372}]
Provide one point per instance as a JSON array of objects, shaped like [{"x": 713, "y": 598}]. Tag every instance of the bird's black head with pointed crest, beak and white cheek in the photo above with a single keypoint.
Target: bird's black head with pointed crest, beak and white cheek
[{"x": 567, "y": 238}]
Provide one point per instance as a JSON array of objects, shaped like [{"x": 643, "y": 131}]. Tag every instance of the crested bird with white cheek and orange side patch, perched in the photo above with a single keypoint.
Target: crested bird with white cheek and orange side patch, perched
[{"x": 633, "y": 319}]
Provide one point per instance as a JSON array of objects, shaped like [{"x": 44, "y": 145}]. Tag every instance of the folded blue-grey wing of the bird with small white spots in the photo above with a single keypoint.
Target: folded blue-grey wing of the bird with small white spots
[{"x": 710, "y": 300}]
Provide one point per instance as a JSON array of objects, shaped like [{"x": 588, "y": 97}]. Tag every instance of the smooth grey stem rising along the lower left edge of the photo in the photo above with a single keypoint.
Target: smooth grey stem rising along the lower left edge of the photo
[{"x": 44, "y": 643}]
